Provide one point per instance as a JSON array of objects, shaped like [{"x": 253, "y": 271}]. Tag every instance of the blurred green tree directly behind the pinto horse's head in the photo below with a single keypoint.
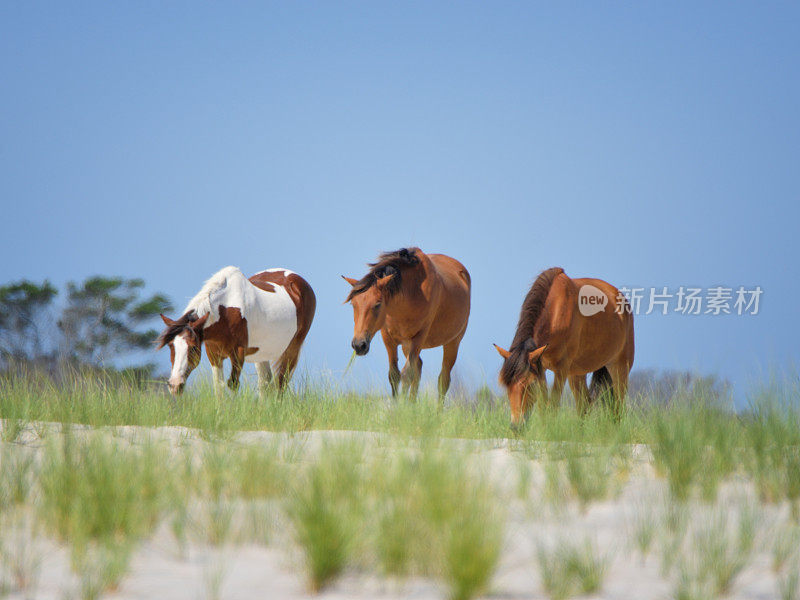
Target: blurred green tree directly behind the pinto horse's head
[{"x": 103, "y": 318}]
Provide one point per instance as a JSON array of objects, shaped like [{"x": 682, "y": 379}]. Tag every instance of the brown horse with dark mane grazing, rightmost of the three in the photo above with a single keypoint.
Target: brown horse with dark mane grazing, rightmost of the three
[{"x": 572, "y": 327}]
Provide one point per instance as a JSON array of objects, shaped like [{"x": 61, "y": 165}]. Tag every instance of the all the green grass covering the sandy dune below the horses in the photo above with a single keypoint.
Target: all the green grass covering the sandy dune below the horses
[{"x": 414, "y": 500}]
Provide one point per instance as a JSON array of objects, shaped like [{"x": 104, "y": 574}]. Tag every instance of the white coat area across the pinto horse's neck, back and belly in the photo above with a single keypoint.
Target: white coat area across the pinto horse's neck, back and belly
[{"x": 271, "y": 316}]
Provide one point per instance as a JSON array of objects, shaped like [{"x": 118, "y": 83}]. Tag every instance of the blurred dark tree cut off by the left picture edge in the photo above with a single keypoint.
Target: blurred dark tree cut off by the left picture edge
[{"x": 24, "y": 318}]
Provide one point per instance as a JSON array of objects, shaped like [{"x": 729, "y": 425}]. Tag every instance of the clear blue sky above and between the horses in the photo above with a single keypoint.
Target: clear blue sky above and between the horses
[{"x": 648, "y": 144}]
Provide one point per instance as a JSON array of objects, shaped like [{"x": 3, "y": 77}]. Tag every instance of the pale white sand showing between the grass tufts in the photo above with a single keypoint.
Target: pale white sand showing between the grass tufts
[{"x": 250, "y": 572}]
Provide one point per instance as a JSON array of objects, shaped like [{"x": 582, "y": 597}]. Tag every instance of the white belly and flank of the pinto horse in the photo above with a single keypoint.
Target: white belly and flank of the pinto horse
[{"x": 272, "y": 325}]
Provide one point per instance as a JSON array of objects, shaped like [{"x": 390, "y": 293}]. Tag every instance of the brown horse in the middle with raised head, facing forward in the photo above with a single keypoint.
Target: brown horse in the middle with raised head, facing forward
[{"x": 417, "y": 301}]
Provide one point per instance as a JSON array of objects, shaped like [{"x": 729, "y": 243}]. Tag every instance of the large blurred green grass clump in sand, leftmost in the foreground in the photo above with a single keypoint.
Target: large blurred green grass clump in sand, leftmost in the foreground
[{"x": 102, "y": 498}]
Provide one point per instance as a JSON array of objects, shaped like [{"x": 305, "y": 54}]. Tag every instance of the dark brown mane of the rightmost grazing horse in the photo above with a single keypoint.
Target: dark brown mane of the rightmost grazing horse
[{"x": 517, "y": 363}]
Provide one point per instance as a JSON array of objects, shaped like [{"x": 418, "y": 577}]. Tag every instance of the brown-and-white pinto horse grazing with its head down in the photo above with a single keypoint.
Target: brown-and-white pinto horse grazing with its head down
[{"x": 263, "y": 319}]
